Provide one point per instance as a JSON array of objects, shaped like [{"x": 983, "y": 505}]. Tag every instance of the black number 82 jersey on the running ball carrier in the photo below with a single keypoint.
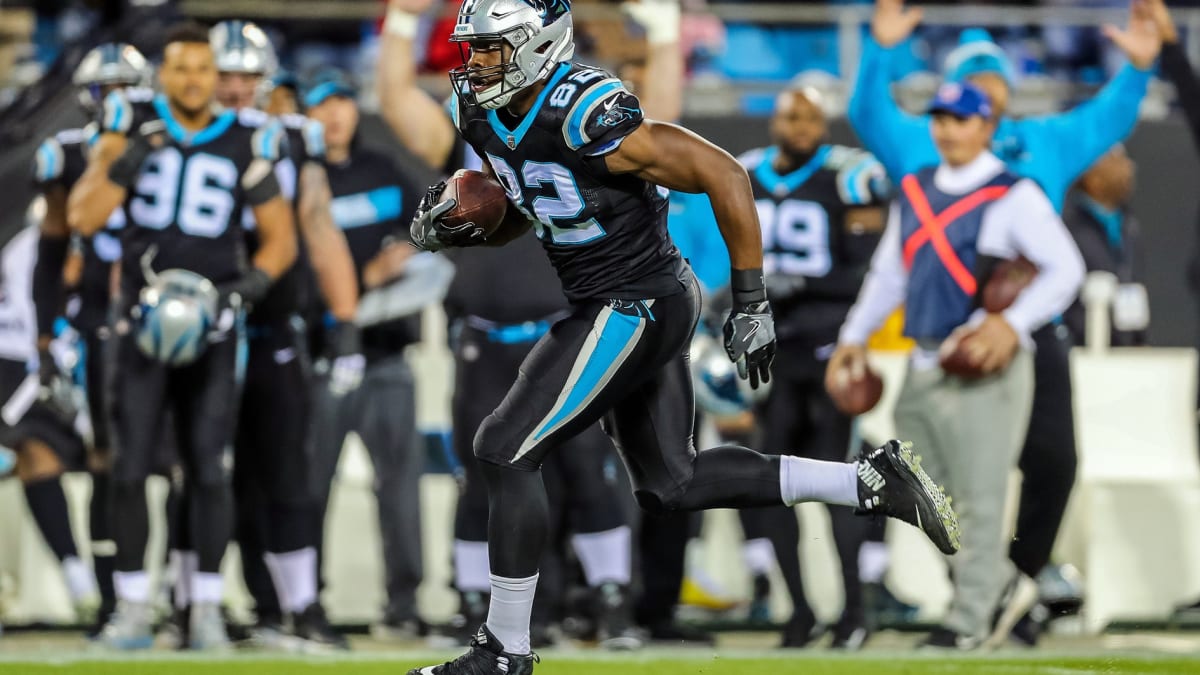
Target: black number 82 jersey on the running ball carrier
[{"x": 607, "y": 235}]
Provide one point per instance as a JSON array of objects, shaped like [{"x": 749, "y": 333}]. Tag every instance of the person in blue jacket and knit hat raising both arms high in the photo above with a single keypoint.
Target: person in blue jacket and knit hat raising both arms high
[{"x": 1054, "y": 151}]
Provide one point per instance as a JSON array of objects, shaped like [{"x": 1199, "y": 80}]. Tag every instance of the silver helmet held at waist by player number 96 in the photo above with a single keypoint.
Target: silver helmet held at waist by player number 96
[{"x": 176, "y": 313}]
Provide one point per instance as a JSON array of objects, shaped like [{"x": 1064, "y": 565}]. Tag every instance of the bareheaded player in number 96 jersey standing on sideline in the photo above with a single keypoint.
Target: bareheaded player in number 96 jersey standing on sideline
[{"x": 184, "y": 172}]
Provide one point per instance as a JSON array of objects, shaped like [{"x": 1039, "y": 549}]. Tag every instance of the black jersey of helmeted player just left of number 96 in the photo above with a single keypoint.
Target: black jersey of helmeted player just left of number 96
[{"x": 61, "y": 160}]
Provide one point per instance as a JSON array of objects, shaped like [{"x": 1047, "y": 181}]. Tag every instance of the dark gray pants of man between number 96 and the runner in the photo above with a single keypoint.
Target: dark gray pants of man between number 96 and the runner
[{"x": 383, "y": 414}]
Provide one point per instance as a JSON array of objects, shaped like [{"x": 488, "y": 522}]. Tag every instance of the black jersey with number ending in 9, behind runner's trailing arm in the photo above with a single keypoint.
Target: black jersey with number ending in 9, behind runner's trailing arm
[{"x": 806, "y": 235}]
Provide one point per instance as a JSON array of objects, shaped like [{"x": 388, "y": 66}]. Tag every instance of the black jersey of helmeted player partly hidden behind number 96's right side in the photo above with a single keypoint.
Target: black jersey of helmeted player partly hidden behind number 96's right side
[{"x": 291, "y": 294}]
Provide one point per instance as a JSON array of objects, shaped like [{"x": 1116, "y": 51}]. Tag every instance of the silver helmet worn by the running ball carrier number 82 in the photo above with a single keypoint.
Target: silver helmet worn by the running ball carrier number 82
[{"x": 538, "y": 35}]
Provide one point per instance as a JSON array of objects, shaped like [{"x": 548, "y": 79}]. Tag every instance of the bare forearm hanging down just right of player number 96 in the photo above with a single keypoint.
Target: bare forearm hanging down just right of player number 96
[{"x": 332, "y": 260}]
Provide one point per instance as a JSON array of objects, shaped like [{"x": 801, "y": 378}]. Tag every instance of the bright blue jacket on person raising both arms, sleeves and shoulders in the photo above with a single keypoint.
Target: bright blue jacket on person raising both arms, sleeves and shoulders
[{"x": 1053, "y": 151}]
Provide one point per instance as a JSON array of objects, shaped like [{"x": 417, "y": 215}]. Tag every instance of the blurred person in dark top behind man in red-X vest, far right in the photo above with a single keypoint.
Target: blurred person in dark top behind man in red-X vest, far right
[{"x": 1097, "y": 214}]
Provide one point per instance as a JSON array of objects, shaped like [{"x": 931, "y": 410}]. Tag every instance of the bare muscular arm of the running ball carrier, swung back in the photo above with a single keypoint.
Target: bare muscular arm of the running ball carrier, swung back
[{"x": 671, "y": 157}]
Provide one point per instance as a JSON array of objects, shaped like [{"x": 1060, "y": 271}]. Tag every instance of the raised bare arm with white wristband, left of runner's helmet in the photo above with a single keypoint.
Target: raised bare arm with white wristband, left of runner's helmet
[{"x": 415, "y": 117}]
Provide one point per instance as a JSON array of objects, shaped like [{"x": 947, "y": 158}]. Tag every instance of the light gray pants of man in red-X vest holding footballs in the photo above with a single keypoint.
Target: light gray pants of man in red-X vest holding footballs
[{"x": 969, "y": 435}]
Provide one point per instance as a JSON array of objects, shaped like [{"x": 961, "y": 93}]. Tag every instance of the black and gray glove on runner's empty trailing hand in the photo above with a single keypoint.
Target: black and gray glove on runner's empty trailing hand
[{"x": 751, "y": 328}]
